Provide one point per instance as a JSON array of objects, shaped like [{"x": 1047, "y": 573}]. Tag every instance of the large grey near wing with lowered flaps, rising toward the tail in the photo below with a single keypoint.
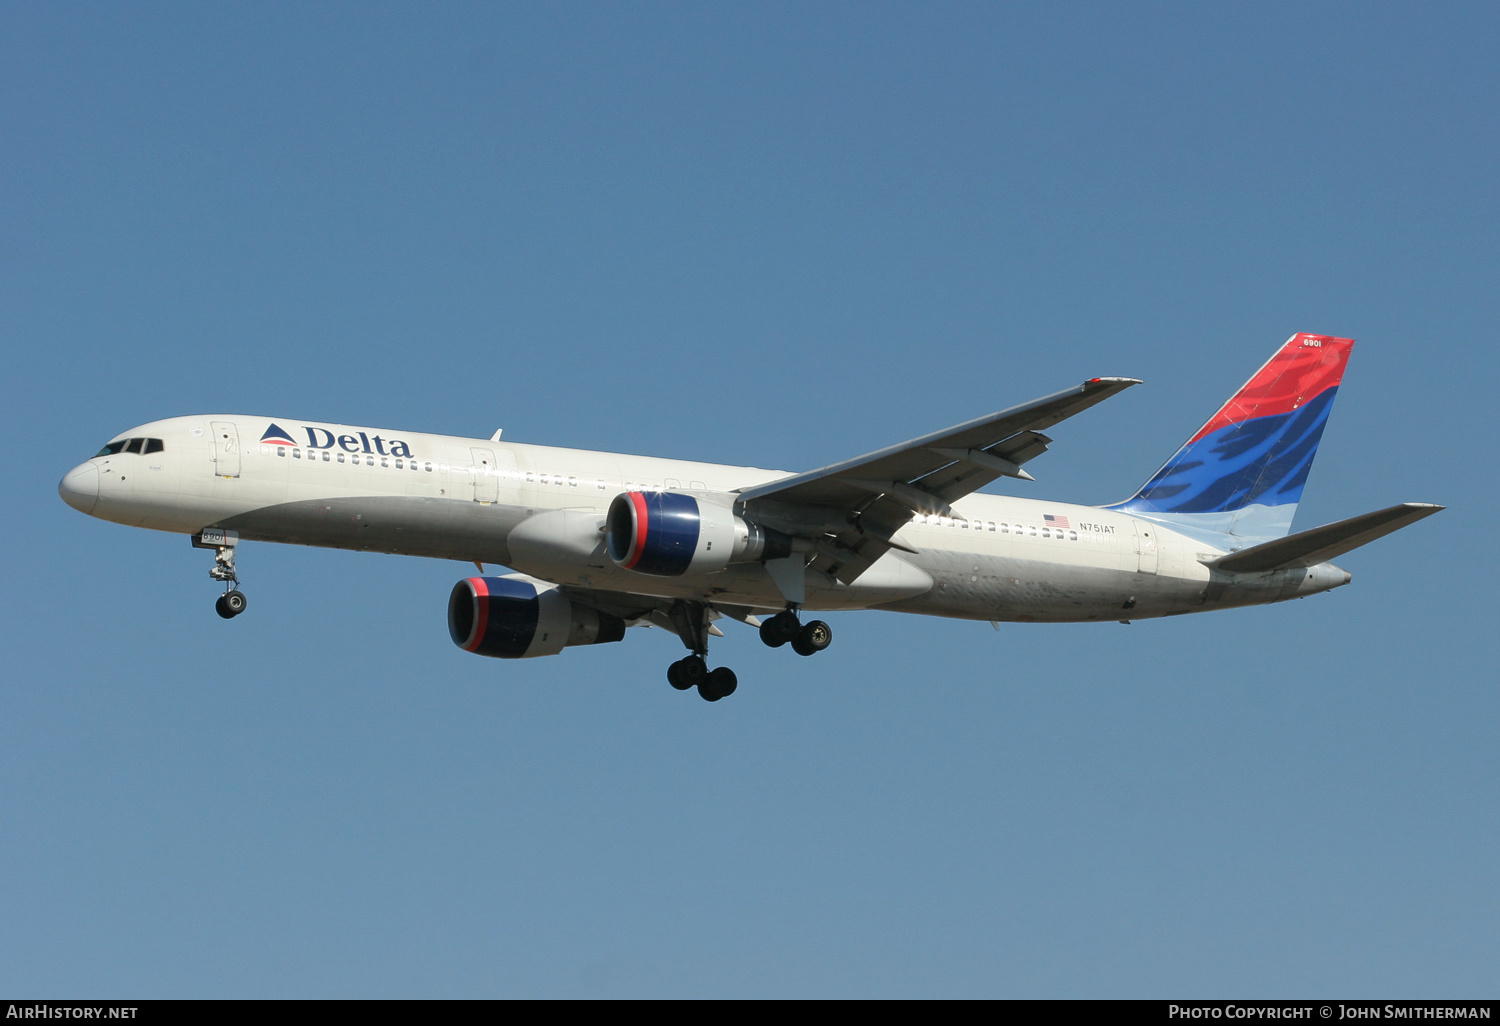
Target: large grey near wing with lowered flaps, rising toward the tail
[{"x": 853, "y": 509}]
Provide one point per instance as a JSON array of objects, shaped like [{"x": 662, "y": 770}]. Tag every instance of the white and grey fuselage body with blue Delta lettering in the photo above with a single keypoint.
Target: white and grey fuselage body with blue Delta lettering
[{"x": 541, "y": 511}]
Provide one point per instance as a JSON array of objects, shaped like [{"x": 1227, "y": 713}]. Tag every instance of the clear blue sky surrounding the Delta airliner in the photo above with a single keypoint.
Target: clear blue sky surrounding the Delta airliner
[{"x": 779, "y": 235}]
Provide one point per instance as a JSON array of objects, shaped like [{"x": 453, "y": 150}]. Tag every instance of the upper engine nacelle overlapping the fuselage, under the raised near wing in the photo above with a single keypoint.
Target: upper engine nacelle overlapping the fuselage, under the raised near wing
[{"x": 668, "y": 535}]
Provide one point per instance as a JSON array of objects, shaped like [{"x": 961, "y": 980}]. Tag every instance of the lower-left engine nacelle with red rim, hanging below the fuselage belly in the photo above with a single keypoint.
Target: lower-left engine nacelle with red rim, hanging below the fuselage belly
[{"x": 521, "y": 619}]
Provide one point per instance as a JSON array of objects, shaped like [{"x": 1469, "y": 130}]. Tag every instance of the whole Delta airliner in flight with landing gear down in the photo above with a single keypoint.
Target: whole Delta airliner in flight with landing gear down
[{"x": 602, "y": 542}]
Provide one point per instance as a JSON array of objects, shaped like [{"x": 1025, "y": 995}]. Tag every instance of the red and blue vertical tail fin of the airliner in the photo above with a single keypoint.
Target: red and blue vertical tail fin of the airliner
[{"x": 1243, "y": 473}]
